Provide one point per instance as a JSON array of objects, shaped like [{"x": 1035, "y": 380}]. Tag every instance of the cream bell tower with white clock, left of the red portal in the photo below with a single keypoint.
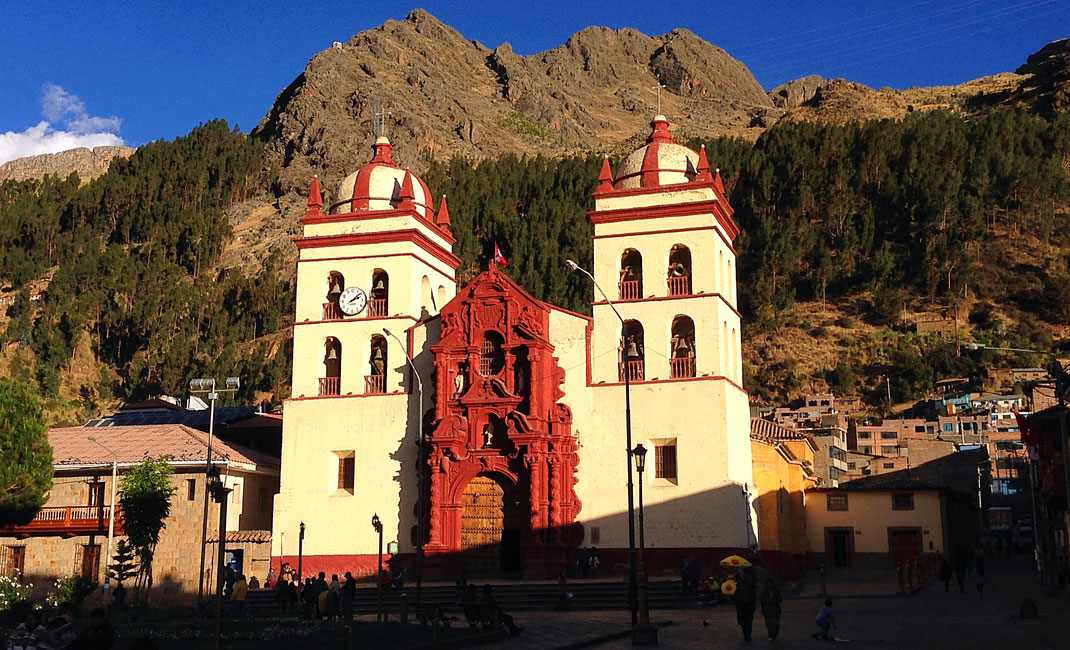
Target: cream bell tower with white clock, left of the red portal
[{"x": 372, "y": 266}]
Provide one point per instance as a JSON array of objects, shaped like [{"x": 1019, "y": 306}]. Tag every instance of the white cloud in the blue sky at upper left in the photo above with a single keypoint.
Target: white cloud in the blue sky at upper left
[{"x": 67, "y": 126}]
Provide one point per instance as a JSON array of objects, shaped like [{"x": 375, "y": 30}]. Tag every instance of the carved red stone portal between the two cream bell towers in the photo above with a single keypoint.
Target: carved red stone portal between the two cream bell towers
[{"x": 502, "y": 458}]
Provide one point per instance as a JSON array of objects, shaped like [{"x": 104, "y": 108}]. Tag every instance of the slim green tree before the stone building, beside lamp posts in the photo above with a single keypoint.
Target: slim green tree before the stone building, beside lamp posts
[{"x": 146, "y": 503}]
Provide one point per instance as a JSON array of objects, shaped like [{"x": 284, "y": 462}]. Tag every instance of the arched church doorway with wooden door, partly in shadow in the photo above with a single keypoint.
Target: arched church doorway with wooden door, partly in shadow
[{"x": 492, "y": 527}]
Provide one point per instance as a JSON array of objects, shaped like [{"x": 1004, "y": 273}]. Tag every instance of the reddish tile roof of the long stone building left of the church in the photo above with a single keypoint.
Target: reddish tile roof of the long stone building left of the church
[{"x": 71, "y": 446}]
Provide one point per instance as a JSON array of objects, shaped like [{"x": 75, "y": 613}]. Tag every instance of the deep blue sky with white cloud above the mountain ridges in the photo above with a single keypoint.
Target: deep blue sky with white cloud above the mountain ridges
[{"x": 105, "y": 72}]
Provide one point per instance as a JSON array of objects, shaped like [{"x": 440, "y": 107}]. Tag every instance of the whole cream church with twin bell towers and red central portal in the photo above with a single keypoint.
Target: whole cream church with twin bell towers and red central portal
[{"x": 521, "y": 404}]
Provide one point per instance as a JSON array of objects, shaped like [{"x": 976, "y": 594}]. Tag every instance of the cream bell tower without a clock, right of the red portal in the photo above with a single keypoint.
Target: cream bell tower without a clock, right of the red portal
[{"x": 664, "y": 253}]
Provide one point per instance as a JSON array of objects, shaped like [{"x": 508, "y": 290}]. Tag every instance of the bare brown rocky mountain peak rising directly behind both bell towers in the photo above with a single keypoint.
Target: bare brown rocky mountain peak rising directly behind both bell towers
[{"x": 449, "y": 96}]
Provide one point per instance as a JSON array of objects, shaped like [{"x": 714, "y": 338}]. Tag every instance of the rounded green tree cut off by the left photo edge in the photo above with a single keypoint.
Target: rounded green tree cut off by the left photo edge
[{"x": 26, "y": 457}]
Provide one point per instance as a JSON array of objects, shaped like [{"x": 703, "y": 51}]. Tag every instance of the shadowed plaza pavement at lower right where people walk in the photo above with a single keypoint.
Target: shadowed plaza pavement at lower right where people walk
[{"x": 869, "y": 613}]
